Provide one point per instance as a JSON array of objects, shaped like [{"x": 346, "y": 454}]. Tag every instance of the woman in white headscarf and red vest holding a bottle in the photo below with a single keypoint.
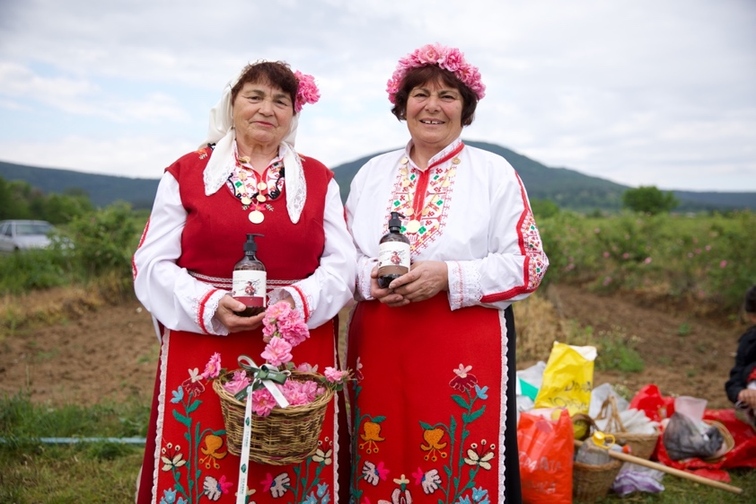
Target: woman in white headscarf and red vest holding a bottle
[{"x": 245, "y": 178}]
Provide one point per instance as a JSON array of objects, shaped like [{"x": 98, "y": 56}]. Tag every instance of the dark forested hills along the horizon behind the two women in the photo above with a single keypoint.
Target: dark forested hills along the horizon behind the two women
[{"x": 568, "y": 188}]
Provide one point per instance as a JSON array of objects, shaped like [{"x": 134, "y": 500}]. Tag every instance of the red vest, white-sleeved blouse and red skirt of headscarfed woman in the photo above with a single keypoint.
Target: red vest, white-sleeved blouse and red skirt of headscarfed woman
[{"x": 182, "y": 267}]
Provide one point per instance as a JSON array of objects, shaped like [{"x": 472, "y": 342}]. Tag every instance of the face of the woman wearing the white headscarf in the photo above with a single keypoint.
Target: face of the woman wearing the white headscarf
[{"x": 262, "y": 116}]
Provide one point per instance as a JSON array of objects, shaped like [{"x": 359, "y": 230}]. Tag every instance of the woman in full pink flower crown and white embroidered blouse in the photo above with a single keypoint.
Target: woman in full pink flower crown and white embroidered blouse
[{"x": 432, "y": 413}]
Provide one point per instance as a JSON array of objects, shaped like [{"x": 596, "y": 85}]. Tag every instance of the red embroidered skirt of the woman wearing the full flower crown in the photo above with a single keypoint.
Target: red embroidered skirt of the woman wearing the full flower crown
[{"x": 428, "y": 409}]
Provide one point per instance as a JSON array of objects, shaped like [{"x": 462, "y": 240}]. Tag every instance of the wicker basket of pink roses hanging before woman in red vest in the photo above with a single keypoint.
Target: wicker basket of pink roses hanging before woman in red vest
[{"x": 286, "y": 436}]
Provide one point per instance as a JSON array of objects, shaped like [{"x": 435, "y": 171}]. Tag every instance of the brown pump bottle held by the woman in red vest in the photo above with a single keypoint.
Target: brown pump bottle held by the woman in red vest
[{"x": 249, "y": 280}]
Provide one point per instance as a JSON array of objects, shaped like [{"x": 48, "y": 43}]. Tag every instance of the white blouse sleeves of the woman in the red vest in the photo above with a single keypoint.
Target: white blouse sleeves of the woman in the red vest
[{"x": 170, "y": 293}]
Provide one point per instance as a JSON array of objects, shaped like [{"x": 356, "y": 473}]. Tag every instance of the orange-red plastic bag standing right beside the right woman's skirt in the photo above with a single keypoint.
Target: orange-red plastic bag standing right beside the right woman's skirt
[{"x": 546, "y": 449}]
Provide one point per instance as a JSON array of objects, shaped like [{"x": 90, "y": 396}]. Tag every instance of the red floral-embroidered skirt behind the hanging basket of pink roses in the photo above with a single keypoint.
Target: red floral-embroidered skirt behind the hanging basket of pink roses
[{"x": 186, "y": 454}]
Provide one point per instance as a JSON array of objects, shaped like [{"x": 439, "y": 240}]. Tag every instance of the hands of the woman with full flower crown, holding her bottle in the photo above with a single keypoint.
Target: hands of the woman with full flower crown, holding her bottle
[{"x": 424, "y": 280}]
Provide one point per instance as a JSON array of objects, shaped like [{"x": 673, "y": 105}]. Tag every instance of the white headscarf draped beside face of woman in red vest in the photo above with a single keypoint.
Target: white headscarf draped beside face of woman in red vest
[{"x": 222, "y": 161}]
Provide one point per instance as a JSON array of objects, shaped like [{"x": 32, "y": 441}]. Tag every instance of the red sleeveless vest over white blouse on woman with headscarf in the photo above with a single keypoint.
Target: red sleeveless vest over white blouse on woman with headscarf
[{"x": 217, "y": 225}]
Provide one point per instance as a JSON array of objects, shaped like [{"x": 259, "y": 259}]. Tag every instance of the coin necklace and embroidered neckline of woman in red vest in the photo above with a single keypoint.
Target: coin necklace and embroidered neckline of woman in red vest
[{"x": 252, "y": 191}]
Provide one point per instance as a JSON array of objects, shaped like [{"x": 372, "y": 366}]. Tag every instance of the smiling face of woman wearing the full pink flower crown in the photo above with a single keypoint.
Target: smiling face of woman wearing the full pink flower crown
[{"x": 434, "y": 115}]
